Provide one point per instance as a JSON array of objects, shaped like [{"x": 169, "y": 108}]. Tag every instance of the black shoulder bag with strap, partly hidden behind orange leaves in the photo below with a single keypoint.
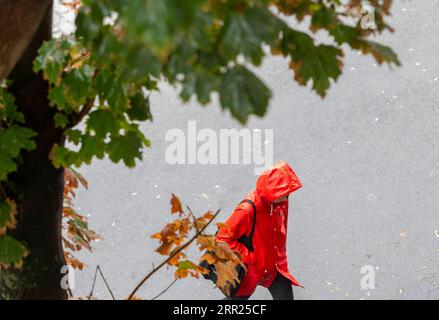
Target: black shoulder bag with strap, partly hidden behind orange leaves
[{"x": 248, "y": 242}]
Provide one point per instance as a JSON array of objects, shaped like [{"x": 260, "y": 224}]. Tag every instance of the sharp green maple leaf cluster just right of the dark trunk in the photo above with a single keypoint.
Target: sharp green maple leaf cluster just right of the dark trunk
[{"x": 77, "y": 87}]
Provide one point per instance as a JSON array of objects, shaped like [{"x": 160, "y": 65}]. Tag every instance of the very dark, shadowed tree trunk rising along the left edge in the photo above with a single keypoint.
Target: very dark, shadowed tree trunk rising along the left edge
[{"x": 37, "y": 185}]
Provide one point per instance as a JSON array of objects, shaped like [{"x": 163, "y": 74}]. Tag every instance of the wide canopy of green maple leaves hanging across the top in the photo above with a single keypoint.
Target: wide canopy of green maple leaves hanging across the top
[{"x": 107, "y": 70}]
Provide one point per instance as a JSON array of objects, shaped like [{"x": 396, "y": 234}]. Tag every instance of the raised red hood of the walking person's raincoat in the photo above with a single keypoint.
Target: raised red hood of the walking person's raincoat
[{"x": 276, "y": 182}]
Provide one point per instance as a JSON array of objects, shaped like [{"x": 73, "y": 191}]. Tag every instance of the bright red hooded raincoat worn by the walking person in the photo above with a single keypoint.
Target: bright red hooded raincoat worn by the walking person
[{"x": 269, "y": 239}]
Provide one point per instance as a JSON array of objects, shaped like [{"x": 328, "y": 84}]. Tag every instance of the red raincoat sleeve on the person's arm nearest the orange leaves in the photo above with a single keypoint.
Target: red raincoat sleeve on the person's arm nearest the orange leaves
[{"x": 238, "y": 224}]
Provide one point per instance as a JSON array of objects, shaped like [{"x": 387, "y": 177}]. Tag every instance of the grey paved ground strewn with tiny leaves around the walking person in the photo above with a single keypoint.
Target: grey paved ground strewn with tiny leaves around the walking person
[{"x": 367, "y": 156}]
